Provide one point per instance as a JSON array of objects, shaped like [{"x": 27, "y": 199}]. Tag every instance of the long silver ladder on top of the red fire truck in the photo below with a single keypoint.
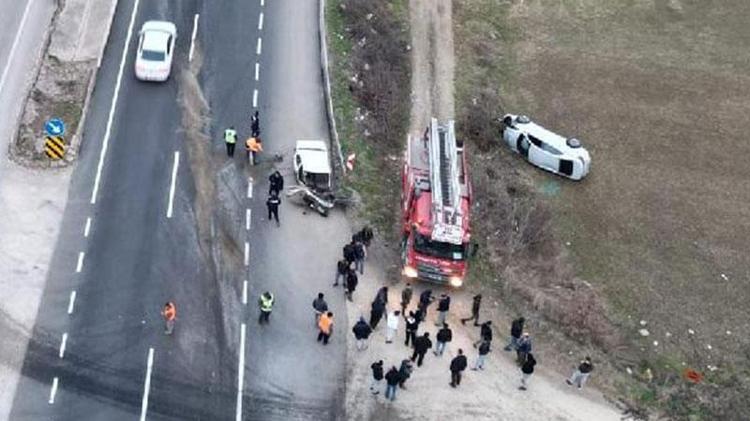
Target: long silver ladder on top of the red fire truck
[{"x": 444, "y": 179}]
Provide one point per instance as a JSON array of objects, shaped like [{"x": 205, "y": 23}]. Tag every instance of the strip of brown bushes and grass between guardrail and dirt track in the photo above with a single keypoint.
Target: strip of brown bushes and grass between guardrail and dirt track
[{"x": 376, "y": 74}]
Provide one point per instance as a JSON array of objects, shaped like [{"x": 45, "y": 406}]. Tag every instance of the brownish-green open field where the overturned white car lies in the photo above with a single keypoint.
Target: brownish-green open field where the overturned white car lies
[{"x": 659, "y": 92}]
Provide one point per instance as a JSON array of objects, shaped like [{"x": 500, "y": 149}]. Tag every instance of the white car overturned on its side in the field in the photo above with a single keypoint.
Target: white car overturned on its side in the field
[{"x": 545, "y": 149}]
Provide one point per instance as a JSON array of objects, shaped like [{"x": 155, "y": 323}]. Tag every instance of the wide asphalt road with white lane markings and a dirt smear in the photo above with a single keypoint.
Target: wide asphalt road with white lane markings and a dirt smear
[{"x": 133, "y": 258}]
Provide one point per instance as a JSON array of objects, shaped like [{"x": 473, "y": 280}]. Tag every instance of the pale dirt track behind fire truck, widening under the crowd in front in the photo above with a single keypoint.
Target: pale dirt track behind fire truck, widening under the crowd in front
[{"x": 490, "y": 394}]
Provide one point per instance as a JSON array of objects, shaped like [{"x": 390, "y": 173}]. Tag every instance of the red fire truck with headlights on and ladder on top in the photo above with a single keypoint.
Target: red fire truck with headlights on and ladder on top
[{"x": 435, "y": 205}]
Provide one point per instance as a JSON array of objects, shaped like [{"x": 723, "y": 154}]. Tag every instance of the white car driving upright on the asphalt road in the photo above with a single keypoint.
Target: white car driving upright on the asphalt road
[{"x": 155, "y": 48}]
